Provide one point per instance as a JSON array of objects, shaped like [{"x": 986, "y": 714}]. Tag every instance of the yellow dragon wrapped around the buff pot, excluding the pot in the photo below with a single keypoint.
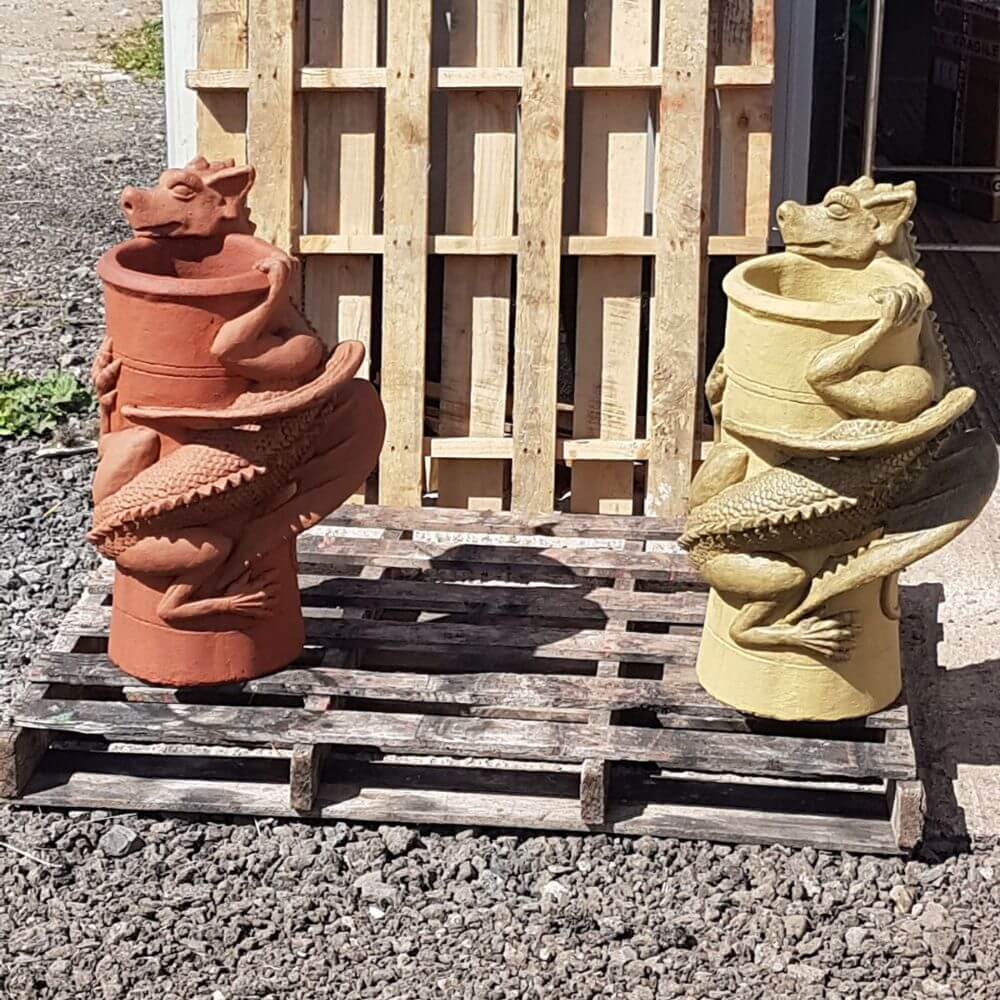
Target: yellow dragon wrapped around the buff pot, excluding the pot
[{"x": 888, "y": 484}]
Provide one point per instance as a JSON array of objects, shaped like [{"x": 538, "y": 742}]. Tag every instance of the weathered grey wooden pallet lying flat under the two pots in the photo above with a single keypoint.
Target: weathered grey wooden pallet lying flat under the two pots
[{"x": 468, "y": 668}]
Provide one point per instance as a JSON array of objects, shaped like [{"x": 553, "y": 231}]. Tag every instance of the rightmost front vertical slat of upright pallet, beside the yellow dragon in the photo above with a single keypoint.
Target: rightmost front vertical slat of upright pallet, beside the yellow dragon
[{"x": 681, "y": 225}]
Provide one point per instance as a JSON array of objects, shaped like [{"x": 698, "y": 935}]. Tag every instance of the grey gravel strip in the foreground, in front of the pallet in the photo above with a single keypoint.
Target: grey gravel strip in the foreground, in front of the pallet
[{"x": 114, "y": 907}]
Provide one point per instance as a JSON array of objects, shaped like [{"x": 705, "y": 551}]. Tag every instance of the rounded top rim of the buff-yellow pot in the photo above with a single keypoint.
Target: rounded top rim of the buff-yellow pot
[{"x": 810, "y": 311}]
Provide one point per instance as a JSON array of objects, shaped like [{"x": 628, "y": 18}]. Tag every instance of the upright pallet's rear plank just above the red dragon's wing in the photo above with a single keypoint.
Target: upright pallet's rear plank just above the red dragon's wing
[{"x": 341, "y": 172}]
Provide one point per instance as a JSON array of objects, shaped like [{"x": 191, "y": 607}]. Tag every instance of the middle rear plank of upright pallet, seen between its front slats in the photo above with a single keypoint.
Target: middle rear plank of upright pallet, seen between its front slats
[{"x": 481, "y": 167}]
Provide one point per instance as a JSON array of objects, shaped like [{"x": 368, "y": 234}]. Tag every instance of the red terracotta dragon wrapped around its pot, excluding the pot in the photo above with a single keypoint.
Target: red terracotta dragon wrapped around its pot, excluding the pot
[{"x": 200, "y": 495}]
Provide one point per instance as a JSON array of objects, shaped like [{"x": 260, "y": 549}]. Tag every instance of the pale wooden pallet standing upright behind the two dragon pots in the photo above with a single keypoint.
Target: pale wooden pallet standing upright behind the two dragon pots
[{"x": 451, "y": 170}]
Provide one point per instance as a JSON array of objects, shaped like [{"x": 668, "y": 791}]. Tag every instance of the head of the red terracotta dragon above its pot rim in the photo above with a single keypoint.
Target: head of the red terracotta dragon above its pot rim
[{"x": 200, "y": 199}]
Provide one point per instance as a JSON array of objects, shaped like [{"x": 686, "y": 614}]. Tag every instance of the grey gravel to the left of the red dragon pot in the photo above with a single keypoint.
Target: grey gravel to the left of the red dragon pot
[{"x": 64, "y": 157}]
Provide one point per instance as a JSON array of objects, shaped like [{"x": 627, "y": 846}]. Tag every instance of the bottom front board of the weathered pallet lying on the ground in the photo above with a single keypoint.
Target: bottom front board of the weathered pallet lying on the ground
[{"x": 85, "y": 780}]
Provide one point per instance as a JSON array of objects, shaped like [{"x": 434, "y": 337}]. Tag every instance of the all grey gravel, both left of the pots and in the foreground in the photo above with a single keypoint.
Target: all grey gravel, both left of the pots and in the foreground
[{"x": 118, "y": 907}]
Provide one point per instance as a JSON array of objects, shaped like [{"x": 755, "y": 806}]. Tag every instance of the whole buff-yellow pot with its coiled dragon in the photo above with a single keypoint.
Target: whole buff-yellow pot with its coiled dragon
[{"x": 836, "y": 462}]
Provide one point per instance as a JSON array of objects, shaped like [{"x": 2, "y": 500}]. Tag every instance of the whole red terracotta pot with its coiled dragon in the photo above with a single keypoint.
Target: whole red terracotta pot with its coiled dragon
[{"x": 226, "y": 431}]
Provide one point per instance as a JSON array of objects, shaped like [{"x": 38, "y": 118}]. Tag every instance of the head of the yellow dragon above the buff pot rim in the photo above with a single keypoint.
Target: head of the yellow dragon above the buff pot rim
[{"x": 853, "y": 222}]
